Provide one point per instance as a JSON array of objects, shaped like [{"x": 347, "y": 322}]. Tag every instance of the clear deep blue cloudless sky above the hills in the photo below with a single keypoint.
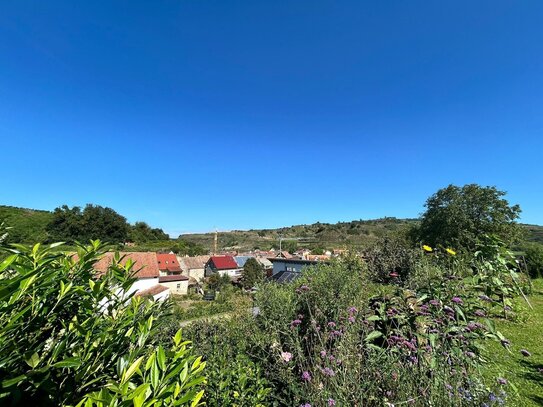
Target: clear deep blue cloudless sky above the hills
[{"x": 198, "y": 114}]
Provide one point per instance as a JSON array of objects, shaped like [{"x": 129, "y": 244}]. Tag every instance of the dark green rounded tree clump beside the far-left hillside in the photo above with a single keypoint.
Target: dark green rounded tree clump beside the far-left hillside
[{"x": 93, "y": 222}]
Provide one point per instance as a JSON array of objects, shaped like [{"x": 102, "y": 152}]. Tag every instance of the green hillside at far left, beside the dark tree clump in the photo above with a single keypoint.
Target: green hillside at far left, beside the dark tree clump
[{"x": 28, "y": 225}]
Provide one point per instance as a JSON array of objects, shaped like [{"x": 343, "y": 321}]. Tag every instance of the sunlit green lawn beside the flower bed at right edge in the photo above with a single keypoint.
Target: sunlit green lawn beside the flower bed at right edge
[{"x": 521, "y": 371}]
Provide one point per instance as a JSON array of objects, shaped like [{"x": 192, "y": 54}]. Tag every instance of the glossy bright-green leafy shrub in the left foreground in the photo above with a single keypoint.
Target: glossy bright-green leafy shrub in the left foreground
[{"x": 71, "y": 337}]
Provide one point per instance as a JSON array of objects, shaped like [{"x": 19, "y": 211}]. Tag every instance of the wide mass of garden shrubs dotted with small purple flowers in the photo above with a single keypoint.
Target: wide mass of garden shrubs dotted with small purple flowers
[{"x": 337, "y": 336}]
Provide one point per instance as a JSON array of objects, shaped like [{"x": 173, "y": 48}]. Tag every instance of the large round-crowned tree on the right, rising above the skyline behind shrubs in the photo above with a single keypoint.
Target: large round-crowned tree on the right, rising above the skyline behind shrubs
[{"x": 458, "y": 217}]
